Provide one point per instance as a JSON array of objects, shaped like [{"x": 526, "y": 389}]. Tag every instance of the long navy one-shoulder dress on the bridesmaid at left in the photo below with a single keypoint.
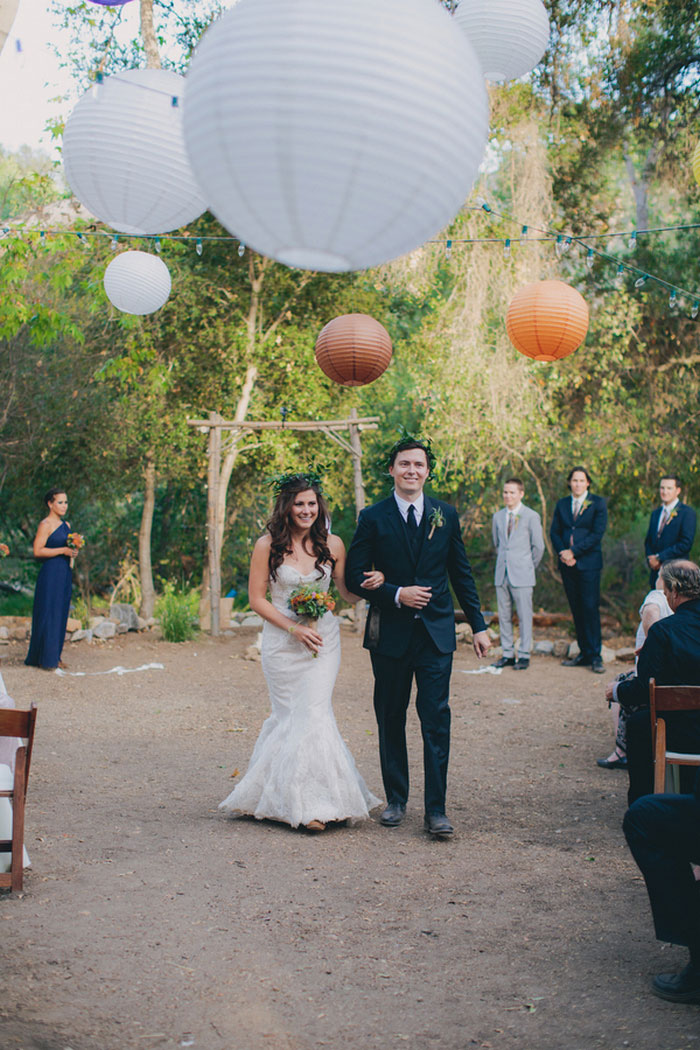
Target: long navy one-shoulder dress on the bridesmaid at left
[{"x": 52, "y": 601}]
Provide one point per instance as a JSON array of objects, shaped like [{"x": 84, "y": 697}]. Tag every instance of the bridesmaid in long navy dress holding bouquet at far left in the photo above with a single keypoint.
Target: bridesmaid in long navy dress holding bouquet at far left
[{"x": 52, "y": 597}]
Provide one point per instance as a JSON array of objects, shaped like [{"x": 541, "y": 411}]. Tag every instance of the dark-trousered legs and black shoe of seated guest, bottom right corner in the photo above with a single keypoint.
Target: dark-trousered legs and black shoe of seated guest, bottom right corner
[{"x": 664, "y": 834}]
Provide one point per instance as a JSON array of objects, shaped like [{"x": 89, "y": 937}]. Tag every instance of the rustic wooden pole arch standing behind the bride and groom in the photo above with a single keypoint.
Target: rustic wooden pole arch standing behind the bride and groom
[{"x": 216, "y": 427}]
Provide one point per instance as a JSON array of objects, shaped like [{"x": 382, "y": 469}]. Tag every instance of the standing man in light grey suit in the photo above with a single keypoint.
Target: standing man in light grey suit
[{"x": 520, "y": 545}]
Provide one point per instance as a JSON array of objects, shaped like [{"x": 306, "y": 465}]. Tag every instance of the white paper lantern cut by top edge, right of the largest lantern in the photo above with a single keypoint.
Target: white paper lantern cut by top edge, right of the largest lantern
[{"x": 510, "y": 36}]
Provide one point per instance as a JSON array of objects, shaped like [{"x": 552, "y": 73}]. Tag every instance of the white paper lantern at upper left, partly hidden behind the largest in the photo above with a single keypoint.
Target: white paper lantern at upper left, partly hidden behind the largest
[{"x": 124, "y": 154}]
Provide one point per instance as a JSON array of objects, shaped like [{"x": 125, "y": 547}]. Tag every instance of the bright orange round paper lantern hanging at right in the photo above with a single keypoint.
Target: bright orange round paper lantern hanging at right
[{"x": 547, "y": 321}]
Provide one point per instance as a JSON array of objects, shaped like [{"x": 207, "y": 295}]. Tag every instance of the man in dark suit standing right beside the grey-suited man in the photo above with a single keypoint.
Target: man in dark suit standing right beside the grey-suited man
[{"x": 579, "y": 523}]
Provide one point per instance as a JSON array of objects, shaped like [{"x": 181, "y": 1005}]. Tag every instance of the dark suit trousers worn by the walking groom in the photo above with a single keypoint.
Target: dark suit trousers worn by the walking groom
[{"x": 393, "y": 685}]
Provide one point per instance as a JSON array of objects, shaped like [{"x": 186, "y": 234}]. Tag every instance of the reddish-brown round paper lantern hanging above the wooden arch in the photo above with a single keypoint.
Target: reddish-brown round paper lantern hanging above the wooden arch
[{"x": 354, "y": 350}]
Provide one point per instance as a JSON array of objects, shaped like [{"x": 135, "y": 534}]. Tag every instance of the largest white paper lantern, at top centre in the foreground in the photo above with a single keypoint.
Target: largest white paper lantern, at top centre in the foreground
[{"x": 335, "y": 136}]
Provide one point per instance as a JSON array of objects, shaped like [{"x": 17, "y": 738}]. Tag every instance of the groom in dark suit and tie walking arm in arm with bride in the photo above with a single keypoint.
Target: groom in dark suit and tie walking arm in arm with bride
[{"x": 417, "y": 543}]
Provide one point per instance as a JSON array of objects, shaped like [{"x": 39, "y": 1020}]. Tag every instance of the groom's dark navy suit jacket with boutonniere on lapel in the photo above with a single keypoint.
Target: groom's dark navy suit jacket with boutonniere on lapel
[{"x": 383, "y": 541}]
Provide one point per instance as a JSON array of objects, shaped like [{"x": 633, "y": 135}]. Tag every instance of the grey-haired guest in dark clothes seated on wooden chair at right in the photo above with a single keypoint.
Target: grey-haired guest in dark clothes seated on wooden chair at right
[{"x": 671, "y": 656}]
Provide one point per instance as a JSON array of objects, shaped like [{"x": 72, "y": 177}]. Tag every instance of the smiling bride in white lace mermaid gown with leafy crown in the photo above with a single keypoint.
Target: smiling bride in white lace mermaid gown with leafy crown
[{"x": 301, "y": 771}]
